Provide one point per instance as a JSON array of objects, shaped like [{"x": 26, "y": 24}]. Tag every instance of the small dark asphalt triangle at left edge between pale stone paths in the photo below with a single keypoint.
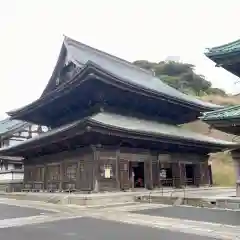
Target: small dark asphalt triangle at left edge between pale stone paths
[{"x": 8, "y": 211}]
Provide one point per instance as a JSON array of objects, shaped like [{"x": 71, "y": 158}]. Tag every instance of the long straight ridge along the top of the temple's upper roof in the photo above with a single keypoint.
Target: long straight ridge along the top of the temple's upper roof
[{"x": 100, "y": 52}]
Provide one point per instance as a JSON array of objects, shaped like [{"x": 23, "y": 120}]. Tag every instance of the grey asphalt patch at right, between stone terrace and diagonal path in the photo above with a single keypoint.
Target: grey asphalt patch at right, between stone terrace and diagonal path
[{"x": 196, "y": 214}]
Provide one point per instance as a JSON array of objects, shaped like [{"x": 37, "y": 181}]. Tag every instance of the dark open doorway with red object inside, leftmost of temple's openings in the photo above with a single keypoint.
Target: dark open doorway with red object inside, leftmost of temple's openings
[{"x": 138, "y": 174}]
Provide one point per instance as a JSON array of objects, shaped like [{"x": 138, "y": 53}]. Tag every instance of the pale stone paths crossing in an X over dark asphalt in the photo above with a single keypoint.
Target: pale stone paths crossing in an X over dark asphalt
[{"x": 119, "y": 213}]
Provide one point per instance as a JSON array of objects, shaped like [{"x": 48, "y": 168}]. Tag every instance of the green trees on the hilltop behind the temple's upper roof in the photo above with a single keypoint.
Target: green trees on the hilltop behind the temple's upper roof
[{"x": 181, "y": 76}]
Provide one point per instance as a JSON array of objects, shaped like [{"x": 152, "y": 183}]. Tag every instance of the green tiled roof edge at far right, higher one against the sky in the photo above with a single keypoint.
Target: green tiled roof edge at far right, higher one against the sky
[{"x": 232, "y": 47}]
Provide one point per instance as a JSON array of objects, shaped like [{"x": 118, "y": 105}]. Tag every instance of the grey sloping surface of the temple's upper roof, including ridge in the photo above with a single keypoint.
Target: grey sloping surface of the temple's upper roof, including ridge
[{"x": 80, "y": 54}]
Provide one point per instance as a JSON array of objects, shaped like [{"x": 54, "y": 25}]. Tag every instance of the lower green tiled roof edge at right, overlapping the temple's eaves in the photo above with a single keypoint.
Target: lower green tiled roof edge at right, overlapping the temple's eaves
[{"x": 223, "y": 114}]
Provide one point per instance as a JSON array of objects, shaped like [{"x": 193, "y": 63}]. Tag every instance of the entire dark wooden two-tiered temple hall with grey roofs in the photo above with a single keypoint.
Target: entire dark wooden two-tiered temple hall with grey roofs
[{"x": 114, "y": 126}]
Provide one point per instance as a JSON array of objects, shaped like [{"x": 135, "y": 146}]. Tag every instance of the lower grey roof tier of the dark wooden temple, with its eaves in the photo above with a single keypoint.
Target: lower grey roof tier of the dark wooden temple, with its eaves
[{"x": 129, "y": 125}]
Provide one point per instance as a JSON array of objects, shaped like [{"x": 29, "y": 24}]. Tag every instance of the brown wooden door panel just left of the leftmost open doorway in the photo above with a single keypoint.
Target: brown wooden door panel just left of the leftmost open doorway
[{"x": 124, "y": 174}]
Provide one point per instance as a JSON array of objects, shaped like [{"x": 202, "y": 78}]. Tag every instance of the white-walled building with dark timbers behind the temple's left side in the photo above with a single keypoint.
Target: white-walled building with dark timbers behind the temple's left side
[{"x": 13, "y": 132}]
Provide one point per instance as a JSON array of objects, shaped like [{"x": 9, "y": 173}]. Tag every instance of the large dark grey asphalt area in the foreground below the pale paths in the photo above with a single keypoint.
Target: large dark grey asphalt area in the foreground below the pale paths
[{"x": 91, "y": 229}]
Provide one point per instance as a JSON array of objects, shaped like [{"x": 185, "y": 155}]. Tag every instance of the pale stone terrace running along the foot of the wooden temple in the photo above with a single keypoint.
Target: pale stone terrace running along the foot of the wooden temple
[{"x": 207, "y": 194}]
